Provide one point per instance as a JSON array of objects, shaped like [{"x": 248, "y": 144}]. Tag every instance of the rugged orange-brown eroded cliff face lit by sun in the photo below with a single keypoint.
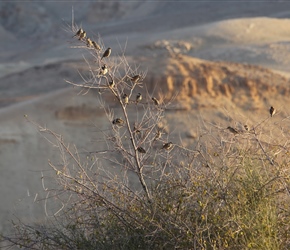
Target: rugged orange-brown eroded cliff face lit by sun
[{"x": 187, "y": 78}]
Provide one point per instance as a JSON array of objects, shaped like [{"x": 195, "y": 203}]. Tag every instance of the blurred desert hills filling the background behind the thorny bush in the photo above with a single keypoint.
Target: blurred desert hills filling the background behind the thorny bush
[{"x": 222, "y": 63}]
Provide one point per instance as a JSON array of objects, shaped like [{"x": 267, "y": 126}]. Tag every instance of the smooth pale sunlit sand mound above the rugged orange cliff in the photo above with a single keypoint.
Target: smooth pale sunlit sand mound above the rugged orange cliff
[{"x": 260, "y": 41}]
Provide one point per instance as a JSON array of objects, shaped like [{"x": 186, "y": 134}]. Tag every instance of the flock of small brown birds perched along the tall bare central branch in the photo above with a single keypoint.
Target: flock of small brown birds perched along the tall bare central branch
[{"x": 82, "y": 36}]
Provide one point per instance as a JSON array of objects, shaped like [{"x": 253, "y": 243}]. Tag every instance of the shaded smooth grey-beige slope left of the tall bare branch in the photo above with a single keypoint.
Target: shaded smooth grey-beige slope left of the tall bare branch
[{"x": 25, "y": 153}]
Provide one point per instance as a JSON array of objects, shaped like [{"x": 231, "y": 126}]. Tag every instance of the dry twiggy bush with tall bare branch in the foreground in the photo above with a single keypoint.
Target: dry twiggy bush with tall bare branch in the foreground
[{"x": 228, "y": 190}]
